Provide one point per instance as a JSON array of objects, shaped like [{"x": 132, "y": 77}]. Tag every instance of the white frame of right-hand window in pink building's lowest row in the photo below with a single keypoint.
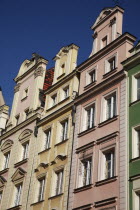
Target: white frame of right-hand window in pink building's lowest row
[{"x": 102, "y": 165}]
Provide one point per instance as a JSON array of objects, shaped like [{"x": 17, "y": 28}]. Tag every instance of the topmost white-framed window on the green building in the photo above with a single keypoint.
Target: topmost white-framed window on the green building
[{"x": 134, "y": 93}]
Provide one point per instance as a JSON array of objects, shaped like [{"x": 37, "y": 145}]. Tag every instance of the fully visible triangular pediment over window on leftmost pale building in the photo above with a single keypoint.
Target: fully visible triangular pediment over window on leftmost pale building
[{"x": 19, "y": 175}]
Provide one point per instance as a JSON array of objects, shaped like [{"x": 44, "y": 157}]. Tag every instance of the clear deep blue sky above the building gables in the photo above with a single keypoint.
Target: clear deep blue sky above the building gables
[{"x": 44, "y": 26}]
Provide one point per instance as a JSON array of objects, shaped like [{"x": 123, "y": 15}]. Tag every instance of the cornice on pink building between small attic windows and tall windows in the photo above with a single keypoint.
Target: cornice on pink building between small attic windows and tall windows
[{"x": 114, "y": 78}]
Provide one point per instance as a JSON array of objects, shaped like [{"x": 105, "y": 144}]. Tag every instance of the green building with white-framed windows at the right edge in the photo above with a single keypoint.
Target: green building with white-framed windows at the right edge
[{"x": 132, "y": 67}]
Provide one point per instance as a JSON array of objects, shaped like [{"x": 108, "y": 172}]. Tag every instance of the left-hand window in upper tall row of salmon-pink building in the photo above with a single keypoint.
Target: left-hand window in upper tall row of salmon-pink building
[{"x": 89, "y": 117}]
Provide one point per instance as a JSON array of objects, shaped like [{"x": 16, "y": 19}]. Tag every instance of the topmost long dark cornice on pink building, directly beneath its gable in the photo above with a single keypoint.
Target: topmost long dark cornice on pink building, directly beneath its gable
[{"x": 120, "y": 40}]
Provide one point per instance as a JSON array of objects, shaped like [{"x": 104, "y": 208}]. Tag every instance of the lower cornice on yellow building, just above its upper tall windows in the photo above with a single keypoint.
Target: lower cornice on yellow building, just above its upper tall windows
[{"x": 58, "y": 112}]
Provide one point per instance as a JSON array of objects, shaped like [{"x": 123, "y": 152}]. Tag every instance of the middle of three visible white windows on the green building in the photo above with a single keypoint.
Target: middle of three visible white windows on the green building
[{"x": 136, "y": 142}]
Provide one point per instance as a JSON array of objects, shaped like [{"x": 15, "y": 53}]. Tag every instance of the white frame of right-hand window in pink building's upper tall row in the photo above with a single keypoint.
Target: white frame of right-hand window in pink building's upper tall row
[{"x": 104, "y": 105}]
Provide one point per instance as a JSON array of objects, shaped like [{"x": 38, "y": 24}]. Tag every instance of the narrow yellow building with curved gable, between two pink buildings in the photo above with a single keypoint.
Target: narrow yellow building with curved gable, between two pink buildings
[{"x": 50, "y": 182}]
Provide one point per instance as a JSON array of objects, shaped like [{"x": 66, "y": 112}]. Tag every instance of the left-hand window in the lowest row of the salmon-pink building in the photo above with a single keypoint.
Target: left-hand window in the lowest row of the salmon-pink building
[{"x": 85, "y": 172}]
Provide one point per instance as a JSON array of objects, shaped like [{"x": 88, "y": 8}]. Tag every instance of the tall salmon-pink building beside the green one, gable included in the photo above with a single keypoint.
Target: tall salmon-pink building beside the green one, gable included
[{"x": 99, "y": 164}]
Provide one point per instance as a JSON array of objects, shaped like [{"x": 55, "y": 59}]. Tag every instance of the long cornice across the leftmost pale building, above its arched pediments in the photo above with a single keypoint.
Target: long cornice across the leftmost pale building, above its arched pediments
[{"x": 20, "y": 126}]
